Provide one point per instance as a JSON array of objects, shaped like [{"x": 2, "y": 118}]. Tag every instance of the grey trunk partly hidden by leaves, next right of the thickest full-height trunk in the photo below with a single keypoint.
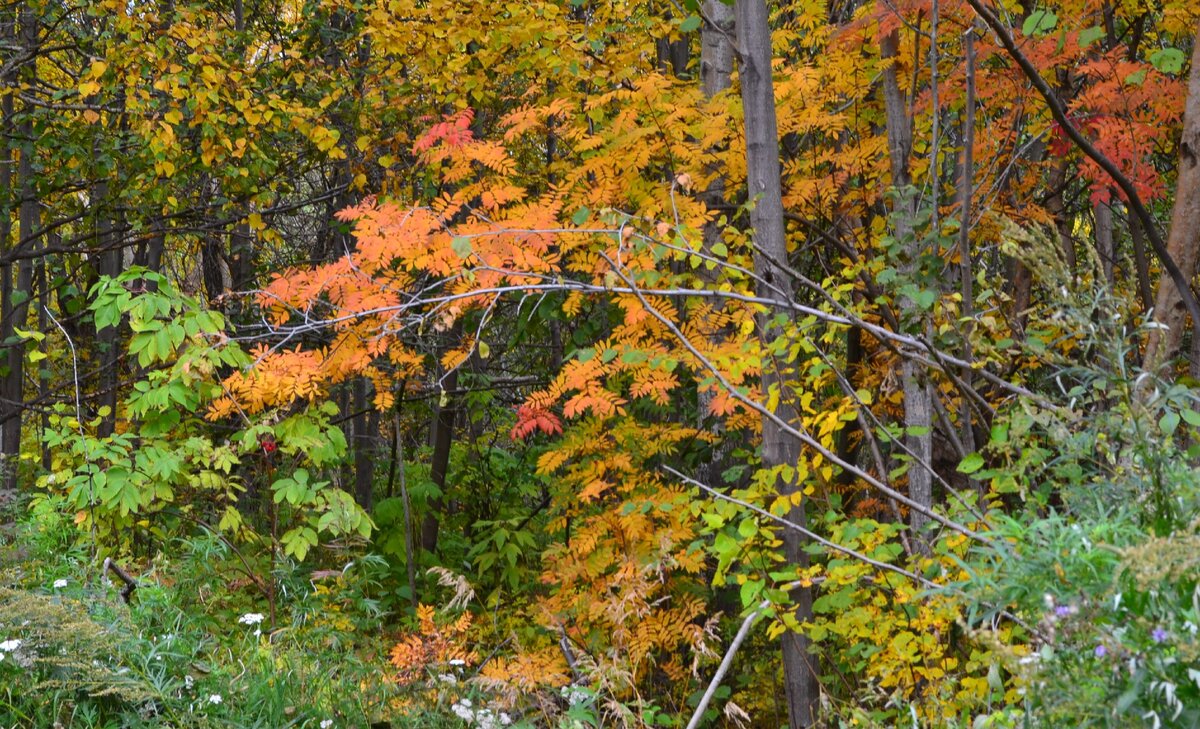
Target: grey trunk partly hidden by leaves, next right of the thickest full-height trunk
[{"x": 917, "y": 395}]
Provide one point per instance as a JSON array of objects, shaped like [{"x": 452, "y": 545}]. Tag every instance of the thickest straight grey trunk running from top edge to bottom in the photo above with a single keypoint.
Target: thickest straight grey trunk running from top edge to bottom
[{"x": 801, "y": 668}]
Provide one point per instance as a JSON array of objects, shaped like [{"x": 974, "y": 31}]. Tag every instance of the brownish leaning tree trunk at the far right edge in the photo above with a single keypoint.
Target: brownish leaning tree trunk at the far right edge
[{"x": 1184, "y": 240}]
